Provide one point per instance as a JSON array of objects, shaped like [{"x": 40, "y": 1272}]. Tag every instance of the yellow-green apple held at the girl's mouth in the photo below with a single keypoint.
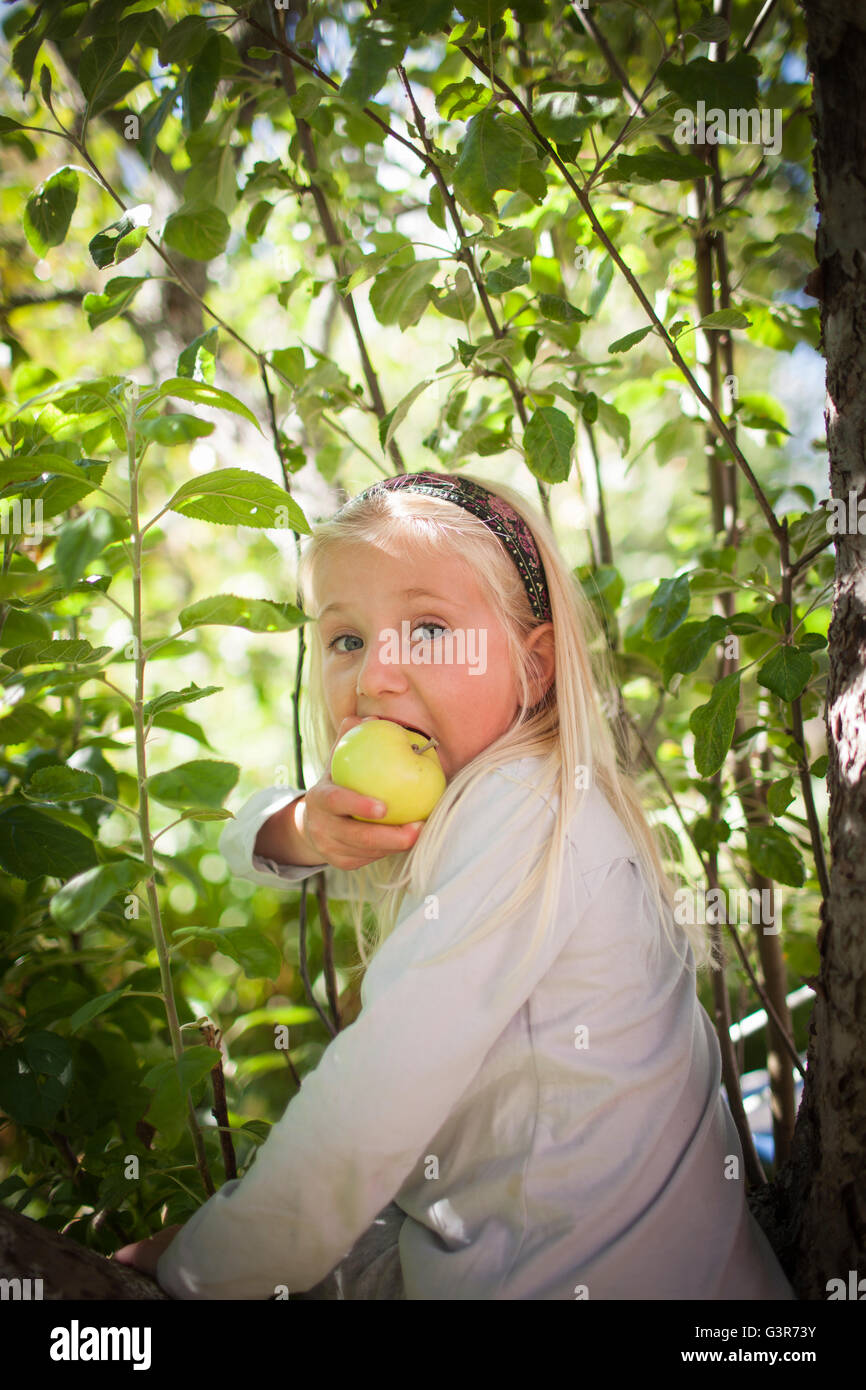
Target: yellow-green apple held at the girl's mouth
[{"x": 383, "y": 760}]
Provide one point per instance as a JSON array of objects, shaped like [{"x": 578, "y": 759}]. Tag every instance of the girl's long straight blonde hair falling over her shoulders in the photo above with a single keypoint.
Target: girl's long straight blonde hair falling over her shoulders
[{"x": 568, "y": 726}]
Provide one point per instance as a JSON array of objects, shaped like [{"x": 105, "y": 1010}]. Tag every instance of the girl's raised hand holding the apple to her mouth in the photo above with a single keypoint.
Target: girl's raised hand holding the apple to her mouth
[{"x": 326, "y": 825}]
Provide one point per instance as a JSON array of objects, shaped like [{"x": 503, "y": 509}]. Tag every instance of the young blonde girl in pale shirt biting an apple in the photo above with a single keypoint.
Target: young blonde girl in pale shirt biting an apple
[{"x": 529, "y": 1106}]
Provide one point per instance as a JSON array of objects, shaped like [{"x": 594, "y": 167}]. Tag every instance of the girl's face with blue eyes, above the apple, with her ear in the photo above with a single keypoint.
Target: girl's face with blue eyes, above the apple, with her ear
[{"x": 382, "y": 621}]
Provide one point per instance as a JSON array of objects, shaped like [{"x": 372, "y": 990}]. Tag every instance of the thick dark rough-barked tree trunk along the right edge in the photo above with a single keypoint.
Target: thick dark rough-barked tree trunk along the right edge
[{"x": 815, "y": 1213}]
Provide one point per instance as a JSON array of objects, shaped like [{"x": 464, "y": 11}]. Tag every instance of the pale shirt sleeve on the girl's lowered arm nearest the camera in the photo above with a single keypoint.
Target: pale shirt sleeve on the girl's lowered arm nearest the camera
[{"x": 384, "y": 1086}]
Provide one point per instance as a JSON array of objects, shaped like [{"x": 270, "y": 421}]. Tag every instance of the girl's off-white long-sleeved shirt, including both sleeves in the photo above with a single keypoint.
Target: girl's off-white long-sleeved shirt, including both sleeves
[{"x": 533, "y": 1160}]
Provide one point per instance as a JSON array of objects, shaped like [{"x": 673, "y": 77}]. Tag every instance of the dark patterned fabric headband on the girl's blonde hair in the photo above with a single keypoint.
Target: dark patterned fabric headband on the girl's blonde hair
[{"x": 498, "y": 518}]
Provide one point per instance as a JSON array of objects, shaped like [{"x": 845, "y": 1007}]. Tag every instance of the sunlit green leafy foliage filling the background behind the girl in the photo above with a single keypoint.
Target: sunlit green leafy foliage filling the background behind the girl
[{"x": 137, "y": 494}]
